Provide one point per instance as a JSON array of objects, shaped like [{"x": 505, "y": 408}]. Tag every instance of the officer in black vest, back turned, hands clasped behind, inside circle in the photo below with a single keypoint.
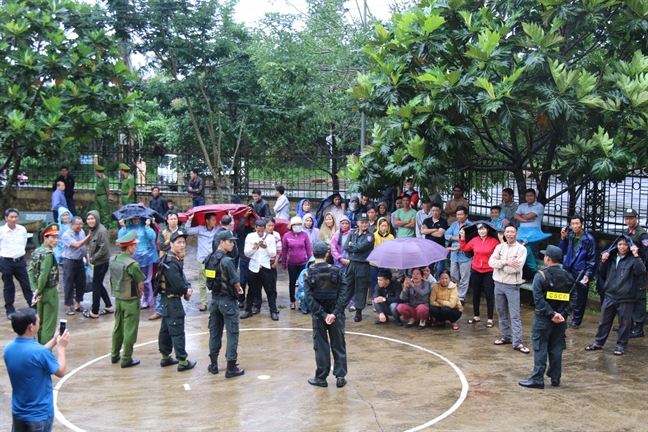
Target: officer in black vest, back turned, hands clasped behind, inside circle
[{"x": 327, "y": 294}]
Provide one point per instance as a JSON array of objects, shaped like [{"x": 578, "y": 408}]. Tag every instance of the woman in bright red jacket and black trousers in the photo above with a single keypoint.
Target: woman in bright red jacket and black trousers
[{"x": 481, "y": 275}]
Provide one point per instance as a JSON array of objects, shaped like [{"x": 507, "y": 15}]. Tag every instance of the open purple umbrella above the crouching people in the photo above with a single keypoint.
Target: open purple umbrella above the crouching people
[{"x": 404, "y": 253}]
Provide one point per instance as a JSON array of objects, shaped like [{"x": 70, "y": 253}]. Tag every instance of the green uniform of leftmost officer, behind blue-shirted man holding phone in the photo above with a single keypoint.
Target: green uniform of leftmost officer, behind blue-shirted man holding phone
[{"x": 43, "y": 277}]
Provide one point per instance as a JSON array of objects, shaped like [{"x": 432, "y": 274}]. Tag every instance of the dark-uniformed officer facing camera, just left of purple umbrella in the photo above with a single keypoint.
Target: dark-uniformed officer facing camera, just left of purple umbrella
[{"x": 359, "y": 247}]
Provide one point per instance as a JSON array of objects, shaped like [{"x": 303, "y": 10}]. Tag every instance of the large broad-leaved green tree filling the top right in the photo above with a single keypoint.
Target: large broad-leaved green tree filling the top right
[{"x": 518, "y": 86}]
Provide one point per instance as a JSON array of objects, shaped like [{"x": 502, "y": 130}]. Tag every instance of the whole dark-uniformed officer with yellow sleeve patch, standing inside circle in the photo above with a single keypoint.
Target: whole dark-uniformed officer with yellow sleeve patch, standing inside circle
[{"x": 224, "y": 311}]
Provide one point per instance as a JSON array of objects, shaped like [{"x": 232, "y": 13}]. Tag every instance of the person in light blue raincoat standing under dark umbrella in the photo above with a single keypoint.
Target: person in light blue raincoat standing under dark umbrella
[{"x": 145, "y": 254}]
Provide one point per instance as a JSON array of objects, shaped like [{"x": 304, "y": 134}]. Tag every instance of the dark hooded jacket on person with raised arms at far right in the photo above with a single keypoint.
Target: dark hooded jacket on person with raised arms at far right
[{"x": 621, "y": 280}]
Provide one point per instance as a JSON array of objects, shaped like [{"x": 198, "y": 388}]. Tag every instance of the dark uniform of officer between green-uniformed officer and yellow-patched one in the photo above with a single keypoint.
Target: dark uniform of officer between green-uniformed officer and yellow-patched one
[{"x": 172, "y": 335}]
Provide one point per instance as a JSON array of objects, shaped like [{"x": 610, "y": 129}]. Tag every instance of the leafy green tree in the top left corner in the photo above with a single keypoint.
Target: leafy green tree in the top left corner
[{"x": 63, "y": 83}]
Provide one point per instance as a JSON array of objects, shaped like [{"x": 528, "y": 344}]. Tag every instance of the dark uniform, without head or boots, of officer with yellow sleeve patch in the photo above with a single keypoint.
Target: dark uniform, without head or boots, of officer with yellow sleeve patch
[{"x": 224, "y": 312}]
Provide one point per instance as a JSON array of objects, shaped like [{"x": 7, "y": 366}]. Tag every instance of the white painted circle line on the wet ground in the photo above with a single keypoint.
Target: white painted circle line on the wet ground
[{"x": 462, "y": 397}]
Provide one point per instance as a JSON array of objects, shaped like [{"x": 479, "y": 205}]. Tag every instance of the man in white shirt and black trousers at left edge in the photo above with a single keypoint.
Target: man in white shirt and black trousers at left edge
[{"x": 13, "y": 239}]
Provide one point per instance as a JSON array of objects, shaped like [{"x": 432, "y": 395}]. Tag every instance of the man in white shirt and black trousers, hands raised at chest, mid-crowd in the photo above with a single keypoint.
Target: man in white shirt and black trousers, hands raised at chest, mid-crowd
[{"x": 260, "y": 247}]
